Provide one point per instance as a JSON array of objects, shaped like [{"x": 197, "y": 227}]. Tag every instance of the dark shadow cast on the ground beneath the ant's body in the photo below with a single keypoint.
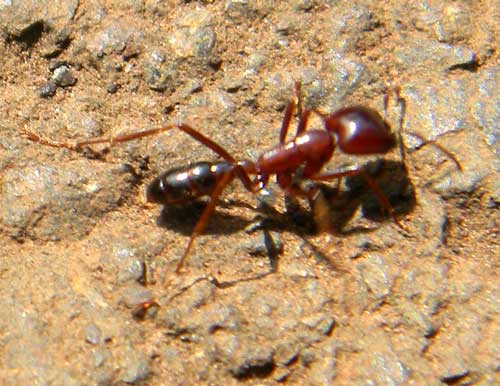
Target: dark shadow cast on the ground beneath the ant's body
[{"x": 390, "y": 176}]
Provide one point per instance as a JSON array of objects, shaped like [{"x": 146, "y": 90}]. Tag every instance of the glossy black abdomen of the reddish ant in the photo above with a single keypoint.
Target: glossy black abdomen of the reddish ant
[{"x": 186, "y": 183}]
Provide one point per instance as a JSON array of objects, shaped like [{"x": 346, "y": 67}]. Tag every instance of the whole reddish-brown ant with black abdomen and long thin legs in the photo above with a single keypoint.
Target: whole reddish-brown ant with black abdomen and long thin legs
[{"x": 356, "y": 130}]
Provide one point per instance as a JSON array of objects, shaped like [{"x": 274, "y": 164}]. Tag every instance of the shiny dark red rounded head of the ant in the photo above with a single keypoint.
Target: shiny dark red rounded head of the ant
[{"x": 360, "y": 130}]
